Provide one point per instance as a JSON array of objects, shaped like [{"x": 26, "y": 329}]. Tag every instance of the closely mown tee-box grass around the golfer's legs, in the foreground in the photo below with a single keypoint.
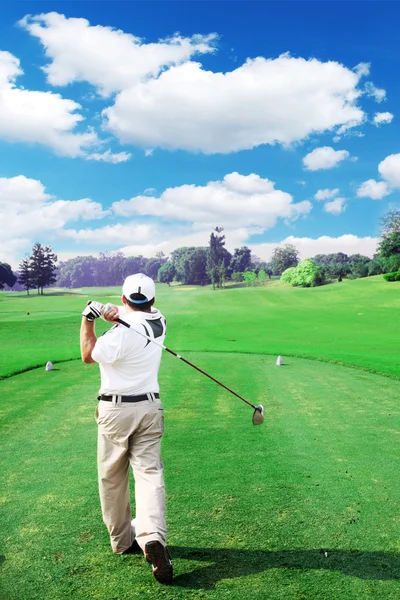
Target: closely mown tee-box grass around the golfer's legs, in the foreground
[{"x": 251, "y": 510}]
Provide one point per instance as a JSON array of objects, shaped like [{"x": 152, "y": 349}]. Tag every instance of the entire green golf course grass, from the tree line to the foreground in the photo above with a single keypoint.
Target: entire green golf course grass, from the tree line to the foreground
[{"x": 305, "y": 506}]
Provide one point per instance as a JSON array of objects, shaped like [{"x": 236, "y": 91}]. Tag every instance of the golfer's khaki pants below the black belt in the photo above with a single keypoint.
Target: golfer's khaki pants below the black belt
[{"x": 129, "y": 434}]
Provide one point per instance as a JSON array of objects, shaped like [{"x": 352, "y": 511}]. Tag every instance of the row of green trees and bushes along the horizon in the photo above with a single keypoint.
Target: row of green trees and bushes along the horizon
[{"x": 204, "y": 265}]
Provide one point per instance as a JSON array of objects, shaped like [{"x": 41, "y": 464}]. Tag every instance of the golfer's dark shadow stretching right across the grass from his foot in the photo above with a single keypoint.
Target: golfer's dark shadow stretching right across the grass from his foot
[{"x": 226, "y": 563}]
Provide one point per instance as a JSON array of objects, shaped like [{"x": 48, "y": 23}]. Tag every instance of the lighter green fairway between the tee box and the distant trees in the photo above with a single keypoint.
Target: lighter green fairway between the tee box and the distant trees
[{"x": 354, "y": 323}]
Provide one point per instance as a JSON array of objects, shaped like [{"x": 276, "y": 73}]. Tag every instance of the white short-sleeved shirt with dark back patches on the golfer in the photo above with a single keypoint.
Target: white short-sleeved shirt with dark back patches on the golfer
[{"x": 128, "y": 362}]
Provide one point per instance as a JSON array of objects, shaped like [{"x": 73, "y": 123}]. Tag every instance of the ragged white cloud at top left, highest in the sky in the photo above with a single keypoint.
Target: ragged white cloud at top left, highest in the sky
[{"x": 108, "y": 58}]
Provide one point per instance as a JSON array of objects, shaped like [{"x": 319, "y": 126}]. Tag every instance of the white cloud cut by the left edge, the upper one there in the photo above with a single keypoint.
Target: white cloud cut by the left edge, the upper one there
[{"x": 39, "y": 117}]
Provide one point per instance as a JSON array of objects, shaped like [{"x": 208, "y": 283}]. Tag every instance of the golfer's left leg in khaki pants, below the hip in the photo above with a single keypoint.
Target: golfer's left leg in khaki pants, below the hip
[{"x": 113, "y": 472}]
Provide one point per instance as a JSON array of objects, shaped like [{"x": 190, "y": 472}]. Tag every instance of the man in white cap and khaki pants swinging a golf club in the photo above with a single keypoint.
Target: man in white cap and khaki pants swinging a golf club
[{"x": 130, "y": 422}]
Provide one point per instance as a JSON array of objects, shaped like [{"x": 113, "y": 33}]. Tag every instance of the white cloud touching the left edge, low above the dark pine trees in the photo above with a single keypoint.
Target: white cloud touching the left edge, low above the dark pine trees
[{"x": 27, "y": 209}]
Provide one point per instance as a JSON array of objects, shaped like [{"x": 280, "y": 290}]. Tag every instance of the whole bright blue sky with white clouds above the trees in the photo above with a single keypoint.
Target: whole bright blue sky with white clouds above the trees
[{"x": 140, "y": 126}]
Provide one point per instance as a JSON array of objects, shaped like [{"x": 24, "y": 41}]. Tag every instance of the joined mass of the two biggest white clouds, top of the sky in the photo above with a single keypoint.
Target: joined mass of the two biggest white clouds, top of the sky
[{"x": 164, "y": 99}]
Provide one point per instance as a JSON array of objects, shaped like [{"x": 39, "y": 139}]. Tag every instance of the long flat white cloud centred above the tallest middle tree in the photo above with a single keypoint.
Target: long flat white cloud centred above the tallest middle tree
[{"x": 237, "y": 200}]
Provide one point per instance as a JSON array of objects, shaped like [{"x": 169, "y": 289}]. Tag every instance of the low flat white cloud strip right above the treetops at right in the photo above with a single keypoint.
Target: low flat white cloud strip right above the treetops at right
[{"x": 309, "y": 247}]
